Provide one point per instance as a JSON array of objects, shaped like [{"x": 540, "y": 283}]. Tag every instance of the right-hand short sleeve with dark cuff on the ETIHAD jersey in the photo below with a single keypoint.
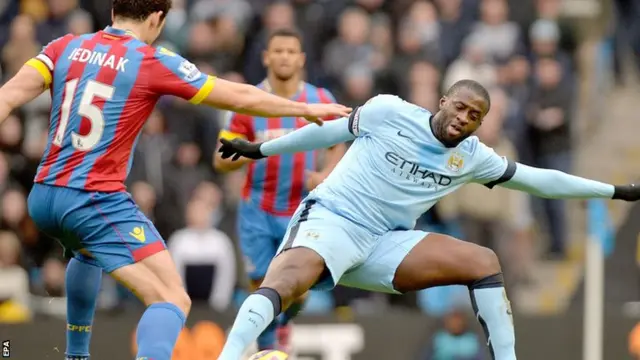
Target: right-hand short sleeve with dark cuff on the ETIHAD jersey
[{"x": 492, "y": 169}]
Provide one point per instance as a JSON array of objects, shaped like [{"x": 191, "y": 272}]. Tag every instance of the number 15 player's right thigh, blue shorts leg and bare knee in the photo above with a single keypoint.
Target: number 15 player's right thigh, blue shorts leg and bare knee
[{"x": 126, "y": 244}]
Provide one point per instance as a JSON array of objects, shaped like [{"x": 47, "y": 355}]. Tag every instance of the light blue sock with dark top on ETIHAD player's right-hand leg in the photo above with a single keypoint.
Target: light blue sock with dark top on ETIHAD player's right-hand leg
[{"x": 493, "y": 310}]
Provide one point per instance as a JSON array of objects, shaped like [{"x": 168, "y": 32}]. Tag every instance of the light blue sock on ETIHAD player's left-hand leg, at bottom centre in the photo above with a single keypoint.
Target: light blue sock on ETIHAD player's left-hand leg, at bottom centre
[{"x": 255, "y": 314}]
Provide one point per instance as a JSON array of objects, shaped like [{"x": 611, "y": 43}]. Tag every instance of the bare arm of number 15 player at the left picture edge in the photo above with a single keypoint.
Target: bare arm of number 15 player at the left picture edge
[{"x": 25, "y": 86}]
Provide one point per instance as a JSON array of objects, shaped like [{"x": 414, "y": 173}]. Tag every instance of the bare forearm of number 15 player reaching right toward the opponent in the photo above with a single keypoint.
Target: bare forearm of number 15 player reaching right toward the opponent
[{"x": 250, "y": 100}]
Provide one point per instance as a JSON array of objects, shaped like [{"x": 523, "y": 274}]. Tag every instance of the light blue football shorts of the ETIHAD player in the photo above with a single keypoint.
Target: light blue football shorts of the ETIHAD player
[{"x": 354, "y": 256}]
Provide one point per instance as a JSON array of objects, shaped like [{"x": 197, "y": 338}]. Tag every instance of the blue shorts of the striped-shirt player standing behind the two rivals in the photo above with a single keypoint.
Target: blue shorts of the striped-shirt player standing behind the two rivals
[{"x": 256, "y": 238}]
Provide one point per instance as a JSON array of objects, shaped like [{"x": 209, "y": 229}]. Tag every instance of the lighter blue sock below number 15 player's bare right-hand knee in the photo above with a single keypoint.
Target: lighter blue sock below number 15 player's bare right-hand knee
[{"x": 158, "y": 331}]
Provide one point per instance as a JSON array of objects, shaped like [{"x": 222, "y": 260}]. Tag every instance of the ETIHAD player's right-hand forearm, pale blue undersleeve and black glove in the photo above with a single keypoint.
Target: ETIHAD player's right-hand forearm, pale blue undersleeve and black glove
[{"x": 559, "y": 185}]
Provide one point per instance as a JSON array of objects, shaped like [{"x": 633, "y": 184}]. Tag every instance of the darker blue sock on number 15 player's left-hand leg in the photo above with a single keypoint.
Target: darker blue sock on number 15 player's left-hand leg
[{"x": 82, "y": 285}]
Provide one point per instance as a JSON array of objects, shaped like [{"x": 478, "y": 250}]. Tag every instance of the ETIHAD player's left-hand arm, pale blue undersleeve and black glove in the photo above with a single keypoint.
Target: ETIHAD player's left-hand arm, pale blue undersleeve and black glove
[{"x": 305, "y": 139}]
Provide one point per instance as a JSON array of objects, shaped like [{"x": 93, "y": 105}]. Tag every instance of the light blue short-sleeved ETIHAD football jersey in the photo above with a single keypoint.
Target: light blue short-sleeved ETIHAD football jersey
[{"x": 396, "y": 169}]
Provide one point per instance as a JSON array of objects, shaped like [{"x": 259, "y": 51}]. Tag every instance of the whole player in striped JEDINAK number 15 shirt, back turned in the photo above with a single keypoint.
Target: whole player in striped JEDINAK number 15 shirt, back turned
[{"x": 104, "y": 86}]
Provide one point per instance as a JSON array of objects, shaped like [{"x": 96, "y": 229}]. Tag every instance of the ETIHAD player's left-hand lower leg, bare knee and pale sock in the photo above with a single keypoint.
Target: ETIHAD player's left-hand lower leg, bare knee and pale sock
[{"x": 290, "y": 275}]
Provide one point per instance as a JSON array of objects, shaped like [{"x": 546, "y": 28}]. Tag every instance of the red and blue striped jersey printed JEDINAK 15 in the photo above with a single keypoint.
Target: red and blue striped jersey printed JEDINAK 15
[{"x": 103, "y": 87}]
